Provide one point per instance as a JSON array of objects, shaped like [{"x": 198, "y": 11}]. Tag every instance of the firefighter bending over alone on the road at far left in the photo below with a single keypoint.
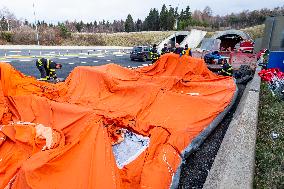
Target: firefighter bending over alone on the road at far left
[{"x": 47, "y": 69}]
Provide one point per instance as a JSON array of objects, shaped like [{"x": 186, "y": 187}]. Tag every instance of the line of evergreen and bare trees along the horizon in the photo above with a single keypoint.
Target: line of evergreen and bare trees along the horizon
[{"x": 169, "y": 18}]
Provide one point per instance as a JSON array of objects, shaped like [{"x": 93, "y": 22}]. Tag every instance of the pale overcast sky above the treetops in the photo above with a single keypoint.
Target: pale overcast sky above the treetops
[{"x": 90, "y": 10}]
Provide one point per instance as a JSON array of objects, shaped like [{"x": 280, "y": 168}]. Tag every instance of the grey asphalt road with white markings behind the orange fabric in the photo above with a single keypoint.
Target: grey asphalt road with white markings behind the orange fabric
[{"x": 24, "y": 60}]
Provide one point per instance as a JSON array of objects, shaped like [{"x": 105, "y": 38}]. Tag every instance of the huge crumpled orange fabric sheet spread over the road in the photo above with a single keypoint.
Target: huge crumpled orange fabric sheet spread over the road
[{"x": 61, "y": 135}]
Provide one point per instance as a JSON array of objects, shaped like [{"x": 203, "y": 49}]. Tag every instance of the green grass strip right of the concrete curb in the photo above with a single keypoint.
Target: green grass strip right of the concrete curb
[{"x": 269, "y": 168}]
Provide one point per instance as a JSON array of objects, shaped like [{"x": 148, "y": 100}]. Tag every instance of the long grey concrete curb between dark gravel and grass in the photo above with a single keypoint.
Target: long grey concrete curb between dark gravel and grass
[{"x": 233, "y": 166}]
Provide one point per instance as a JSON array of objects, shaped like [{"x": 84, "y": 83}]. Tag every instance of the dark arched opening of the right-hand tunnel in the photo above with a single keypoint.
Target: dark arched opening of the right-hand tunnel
[{"x": 229, "y": 41}]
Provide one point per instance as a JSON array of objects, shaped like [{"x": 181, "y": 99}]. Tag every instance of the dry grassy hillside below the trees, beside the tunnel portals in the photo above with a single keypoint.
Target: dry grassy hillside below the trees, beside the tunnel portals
[{"x": 104, "y": 39}]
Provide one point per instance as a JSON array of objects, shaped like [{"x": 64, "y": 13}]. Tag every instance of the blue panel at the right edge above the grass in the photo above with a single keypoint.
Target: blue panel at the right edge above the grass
[{"x": 276, "y": 60}]
